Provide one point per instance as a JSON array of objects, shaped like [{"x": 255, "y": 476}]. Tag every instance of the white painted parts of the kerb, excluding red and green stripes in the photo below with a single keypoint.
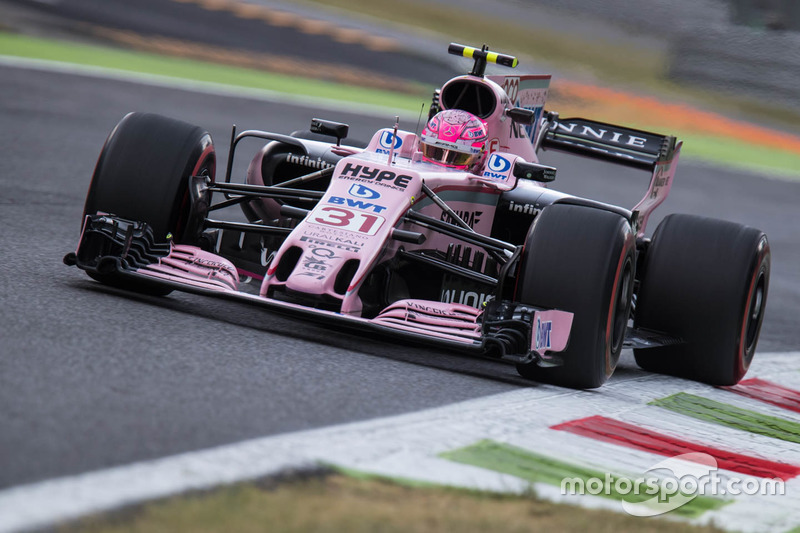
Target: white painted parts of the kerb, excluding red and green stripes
[{"x": 408, "y": 446}]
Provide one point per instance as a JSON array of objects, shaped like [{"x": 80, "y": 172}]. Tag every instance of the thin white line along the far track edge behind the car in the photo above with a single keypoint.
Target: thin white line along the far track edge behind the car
[{"x": 207, "y": 87}]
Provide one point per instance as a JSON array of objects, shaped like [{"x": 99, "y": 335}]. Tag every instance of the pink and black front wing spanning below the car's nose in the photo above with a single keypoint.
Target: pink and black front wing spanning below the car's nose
[{"x": 125, "y": 252}]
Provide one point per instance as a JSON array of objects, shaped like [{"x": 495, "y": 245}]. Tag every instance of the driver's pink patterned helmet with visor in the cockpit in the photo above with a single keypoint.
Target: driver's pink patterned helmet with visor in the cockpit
[{"x": 453, "y": 138}]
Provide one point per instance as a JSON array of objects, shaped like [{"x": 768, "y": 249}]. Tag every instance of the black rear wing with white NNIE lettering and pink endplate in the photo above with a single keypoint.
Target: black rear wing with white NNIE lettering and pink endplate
[{"x": 657, "y": 154}]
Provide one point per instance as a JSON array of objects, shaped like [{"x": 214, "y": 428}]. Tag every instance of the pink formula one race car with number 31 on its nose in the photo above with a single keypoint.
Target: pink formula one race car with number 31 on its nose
[{"x": 450, "y": 237}]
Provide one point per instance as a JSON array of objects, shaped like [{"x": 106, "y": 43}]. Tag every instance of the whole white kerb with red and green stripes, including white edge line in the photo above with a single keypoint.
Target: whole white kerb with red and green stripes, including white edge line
[{"x": 644, "y": 444}]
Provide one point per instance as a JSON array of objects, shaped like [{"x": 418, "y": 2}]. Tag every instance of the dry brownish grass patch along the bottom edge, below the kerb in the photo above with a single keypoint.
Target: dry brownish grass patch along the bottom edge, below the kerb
[{"x": 336, "y": 503}]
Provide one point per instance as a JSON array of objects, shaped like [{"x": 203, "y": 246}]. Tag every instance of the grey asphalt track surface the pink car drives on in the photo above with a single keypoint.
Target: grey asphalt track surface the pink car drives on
[{"x": 92, "y": 377}]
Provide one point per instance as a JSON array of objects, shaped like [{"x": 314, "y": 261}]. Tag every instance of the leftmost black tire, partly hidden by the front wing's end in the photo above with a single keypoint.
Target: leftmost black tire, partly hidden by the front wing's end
[{"x": 143, "y": 174}]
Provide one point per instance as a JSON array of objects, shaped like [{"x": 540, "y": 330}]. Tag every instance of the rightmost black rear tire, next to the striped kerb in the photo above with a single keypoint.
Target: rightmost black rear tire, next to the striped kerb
[{"x": 704, "y": 281}]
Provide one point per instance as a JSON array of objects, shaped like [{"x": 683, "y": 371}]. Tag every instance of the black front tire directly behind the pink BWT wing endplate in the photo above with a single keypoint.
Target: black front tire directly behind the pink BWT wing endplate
[{"x": 581, "y": 260}]
